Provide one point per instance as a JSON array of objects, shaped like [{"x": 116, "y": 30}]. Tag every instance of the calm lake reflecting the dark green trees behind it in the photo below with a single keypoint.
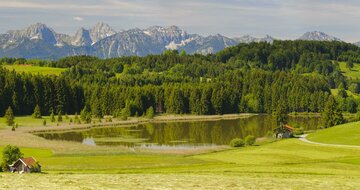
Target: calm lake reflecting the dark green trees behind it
[{"x": 179, "y": 134}]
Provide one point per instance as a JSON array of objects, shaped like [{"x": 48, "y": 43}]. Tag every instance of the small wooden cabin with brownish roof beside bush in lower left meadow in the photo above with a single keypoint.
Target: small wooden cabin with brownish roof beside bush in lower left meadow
[{"x": 25, "y": 165}]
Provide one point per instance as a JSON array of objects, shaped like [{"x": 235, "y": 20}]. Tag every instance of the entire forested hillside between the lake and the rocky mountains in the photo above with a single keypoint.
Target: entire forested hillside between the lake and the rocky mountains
[{"x": 258, "y": 77}]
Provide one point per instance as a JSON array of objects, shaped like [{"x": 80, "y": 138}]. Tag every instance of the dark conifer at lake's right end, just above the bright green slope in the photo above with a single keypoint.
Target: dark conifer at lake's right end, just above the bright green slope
[{"x": 332, "y": 114}]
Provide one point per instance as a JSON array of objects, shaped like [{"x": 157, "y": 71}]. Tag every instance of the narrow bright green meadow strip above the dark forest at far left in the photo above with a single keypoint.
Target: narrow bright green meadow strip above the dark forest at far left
[{"x": 35, "y": 69}]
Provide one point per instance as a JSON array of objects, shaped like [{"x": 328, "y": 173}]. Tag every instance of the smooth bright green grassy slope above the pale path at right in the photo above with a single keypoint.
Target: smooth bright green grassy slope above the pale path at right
[{"x": 347, "y": 134}]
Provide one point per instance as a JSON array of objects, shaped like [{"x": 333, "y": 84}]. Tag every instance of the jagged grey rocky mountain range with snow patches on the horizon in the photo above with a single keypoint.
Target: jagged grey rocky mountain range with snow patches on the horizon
[{"x": 40, "y": 41}]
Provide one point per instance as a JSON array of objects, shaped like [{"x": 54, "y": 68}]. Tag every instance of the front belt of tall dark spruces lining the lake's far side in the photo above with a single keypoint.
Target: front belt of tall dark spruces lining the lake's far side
[{"x": 238, "y": 91}]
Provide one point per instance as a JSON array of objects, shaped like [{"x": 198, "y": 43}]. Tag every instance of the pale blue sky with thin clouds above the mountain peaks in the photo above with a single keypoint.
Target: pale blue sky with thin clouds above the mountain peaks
[{"x": 285, "y": 19}]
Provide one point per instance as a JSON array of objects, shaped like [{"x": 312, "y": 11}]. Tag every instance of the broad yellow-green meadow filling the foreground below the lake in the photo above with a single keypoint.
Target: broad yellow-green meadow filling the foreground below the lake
[{"x": 285, "y": 164}]
